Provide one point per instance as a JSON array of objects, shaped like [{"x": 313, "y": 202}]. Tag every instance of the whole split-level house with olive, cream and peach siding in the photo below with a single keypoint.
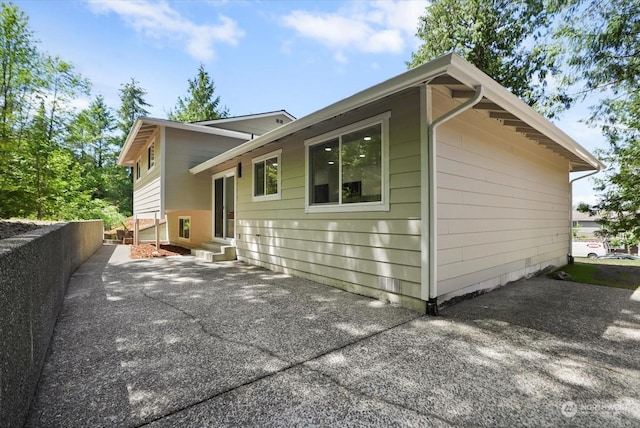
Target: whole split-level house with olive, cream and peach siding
[{"x": 433, "y": 184}]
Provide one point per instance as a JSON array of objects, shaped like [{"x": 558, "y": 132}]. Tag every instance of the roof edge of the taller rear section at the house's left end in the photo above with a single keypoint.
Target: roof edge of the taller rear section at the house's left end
[{"x": 144, "y": 127}]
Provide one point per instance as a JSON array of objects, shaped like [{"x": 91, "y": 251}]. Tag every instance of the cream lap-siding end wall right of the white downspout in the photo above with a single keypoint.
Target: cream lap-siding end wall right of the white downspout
[{"x": 503, "y": 204}]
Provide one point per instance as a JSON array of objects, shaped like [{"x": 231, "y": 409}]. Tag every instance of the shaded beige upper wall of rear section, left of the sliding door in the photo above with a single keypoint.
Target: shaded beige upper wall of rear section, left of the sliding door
[{"x": 184, "y": 150}]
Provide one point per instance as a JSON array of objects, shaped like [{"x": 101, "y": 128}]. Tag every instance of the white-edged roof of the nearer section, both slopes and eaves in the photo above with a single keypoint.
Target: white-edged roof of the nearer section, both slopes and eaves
[{"x": 459, "y": 76}]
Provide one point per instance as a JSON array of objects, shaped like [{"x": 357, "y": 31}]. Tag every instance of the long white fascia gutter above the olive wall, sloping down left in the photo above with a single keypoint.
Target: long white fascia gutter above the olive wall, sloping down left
[{"x": 405, "y": 80}]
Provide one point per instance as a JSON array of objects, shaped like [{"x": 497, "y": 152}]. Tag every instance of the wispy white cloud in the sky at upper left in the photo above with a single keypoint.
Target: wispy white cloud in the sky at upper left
[{"x": 159, "y": 21}]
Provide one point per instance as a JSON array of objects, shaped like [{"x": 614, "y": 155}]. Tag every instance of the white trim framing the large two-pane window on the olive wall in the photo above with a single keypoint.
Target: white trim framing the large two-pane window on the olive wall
[{"x": 383, "y": 205}]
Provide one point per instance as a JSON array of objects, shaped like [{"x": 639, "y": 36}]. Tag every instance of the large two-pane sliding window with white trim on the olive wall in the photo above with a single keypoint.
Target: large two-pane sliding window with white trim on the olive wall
[{"x": 347, "y": 169}]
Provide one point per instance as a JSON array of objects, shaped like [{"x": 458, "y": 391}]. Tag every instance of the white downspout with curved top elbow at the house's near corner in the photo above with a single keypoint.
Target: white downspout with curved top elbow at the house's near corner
[{"x": 432, "y": 302}]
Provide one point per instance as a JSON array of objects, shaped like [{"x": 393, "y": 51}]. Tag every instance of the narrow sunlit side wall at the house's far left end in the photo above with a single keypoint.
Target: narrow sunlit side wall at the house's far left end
[{"x": 147, "y": 190}]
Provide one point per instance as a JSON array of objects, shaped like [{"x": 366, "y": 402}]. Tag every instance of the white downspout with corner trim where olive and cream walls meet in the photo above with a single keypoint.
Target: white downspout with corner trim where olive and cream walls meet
[{"x": 430, "y": 270}]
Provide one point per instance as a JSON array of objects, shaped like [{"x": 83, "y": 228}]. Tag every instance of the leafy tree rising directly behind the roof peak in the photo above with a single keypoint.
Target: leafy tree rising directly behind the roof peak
[{"x": 504, "y": 38}]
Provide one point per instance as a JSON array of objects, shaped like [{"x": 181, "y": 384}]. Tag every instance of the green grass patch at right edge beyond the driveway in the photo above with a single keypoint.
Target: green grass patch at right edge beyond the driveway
[{"x": 611, "y": 273}]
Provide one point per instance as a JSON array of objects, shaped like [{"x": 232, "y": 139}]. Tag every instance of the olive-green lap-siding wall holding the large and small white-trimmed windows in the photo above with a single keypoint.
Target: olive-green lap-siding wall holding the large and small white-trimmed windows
[{"x": 371, "y": 253}]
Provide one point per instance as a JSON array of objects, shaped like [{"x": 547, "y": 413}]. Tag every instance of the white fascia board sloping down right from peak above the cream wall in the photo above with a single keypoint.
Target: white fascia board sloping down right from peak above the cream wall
[{"x": 471, "y": 76}]
